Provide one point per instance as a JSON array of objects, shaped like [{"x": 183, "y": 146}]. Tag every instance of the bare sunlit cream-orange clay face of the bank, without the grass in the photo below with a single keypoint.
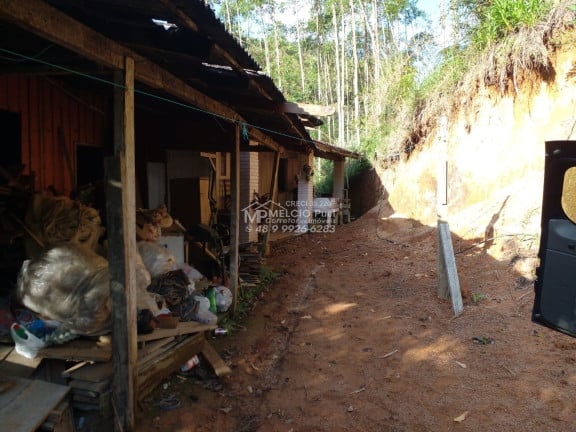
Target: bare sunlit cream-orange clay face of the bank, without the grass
[{"x": 482, "y": 168}]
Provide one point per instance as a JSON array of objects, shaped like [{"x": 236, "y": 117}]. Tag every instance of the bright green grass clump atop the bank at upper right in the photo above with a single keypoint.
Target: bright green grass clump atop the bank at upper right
[{"x": 500, "y": 18}]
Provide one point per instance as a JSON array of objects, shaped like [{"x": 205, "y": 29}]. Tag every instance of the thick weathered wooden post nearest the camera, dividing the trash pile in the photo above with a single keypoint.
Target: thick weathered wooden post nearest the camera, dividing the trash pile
[{"x": 121, "y": 218}]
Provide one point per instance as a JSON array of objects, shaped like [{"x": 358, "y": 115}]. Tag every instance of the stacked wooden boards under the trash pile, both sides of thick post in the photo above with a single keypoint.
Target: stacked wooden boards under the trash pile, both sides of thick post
[{"x": 89, "y": 381}]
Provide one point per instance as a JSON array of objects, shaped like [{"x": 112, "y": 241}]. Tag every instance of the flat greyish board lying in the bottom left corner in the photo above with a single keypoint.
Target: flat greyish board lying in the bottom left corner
[{"x": 25, "y": 406}]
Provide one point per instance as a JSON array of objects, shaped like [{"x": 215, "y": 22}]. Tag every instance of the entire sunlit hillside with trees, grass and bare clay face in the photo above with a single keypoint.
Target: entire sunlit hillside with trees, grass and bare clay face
[{"x": 453, "y": 116}]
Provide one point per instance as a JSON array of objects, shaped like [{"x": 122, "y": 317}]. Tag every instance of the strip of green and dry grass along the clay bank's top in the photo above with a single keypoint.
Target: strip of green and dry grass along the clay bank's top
[{"x": 512, "y": 43}]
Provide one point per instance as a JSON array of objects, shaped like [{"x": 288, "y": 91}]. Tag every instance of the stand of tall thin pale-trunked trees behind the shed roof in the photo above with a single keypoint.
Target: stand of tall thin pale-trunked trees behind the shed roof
[{"x": 342, "y": 53}]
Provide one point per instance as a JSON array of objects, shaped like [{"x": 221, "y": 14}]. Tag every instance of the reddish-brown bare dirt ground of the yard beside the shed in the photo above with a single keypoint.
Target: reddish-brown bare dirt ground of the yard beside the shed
[{"x": 353, "y": 337}]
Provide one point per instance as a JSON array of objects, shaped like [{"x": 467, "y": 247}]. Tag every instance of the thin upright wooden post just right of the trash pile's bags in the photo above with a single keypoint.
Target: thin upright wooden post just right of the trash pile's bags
[{"x": 235, "y": 219}]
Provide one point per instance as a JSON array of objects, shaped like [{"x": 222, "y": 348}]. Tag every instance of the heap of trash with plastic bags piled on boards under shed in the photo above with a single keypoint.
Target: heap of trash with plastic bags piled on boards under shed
[{"x": 64, "y": 286}]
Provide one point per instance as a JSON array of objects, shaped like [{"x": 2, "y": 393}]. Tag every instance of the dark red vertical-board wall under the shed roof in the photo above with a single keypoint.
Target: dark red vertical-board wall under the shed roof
[{"x": 45, "y": 106}]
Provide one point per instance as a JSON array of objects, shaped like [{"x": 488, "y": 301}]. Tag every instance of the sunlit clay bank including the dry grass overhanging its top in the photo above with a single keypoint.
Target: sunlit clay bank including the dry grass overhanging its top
[{"x": 483, "y": 151}]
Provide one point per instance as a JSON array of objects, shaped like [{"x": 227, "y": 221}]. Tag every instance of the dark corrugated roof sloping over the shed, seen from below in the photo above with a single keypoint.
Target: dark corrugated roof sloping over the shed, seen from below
[{"x": 193, "y": 45}]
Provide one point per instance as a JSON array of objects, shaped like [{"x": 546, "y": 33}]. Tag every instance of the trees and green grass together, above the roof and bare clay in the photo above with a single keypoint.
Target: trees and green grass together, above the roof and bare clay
[{"x": 387, "y": 89}]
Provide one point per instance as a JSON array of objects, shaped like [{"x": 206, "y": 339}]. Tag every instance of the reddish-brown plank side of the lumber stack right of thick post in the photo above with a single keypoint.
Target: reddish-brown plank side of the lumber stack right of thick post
[{"x": 151, "y": 376}]
